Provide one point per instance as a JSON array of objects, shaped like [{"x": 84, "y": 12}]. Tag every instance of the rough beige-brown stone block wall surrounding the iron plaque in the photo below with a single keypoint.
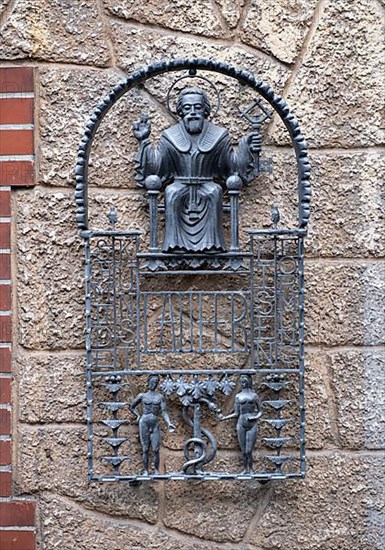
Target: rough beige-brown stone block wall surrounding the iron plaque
[{"x": 327, "y": 58}]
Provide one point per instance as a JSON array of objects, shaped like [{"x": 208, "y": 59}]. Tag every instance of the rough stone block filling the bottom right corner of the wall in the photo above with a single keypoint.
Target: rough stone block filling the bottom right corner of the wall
[{"x": 339, "y": 505}]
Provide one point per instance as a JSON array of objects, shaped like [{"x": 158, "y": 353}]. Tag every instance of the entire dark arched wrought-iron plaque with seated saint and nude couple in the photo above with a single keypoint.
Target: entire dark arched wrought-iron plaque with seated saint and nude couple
[{"x": 194, "y": 337}]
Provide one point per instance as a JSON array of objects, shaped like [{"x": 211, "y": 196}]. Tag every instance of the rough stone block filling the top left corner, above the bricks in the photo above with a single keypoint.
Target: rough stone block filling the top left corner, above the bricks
[{"x": 55, "y": 31}]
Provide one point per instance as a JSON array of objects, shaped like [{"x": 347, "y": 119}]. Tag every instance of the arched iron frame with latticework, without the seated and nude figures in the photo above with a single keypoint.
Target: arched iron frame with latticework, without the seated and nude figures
[{"x": 119, "y": 251}]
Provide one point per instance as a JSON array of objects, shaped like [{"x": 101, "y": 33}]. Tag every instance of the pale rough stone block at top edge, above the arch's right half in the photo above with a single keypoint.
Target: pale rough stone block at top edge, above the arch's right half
[{"x": 278, "y": 28}]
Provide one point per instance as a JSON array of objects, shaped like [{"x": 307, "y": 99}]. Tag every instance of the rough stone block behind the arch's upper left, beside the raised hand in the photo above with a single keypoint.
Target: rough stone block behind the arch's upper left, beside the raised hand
[{"x": 114, "y": 147}]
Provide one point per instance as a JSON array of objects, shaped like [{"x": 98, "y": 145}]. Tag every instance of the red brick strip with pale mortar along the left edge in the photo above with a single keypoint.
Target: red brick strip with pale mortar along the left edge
[{"x": 17, "y": 161}]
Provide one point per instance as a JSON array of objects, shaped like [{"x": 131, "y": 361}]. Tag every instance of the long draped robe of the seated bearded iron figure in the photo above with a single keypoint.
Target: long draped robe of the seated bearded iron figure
[{"x": 193, "y": 199}]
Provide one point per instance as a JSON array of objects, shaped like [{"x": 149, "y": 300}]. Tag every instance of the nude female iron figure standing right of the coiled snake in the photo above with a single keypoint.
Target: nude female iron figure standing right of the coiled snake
[{"x": 247, "y": 408}]
